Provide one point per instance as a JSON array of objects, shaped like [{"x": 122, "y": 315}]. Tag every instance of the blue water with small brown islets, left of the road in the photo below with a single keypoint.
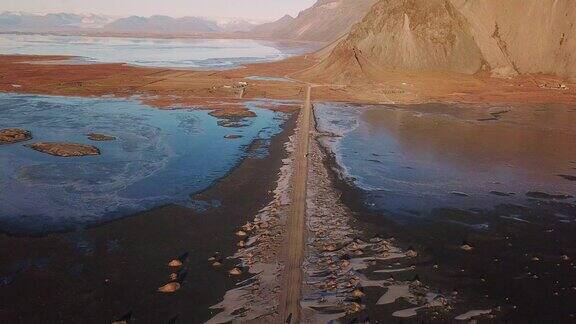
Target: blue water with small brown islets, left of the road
[{"x": 160, "y": 157}]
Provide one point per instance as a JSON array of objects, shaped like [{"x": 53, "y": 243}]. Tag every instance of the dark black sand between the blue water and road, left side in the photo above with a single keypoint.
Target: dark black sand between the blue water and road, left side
[{"x": 100, "y": 274}]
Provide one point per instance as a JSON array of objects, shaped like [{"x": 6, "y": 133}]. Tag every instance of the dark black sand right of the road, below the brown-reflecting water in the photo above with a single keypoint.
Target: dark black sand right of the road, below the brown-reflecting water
[{"x": 518, "y": 268}]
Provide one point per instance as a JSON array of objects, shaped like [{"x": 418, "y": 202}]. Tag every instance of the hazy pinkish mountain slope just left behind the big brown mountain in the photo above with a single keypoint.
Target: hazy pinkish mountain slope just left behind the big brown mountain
[{"x": 326, "y": 21}]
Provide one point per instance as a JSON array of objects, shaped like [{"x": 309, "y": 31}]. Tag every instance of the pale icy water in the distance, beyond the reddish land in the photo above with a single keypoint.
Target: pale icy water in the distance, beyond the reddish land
[{"x": 174, "y": 53}]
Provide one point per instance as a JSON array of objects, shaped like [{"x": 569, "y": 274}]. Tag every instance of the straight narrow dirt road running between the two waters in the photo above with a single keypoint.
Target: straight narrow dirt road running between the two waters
[{"x": 289, "y": 308}]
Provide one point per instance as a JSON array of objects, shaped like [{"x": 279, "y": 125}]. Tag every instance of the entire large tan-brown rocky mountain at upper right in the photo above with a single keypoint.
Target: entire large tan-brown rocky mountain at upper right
[{"x": 458, "y": 36}]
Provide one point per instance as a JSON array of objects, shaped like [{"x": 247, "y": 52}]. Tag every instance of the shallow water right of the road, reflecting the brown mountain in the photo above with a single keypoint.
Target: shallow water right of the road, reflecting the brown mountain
[{"x": 411, "y": 160}]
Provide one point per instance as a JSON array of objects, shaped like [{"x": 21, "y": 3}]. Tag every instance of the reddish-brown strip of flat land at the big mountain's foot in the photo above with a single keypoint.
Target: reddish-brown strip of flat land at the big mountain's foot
[{"x": 221, "y": 90}]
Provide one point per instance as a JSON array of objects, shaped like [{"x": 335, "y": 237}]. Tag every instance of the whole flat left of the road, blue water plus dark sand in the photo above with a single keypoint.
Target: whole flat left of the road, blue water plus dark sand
[{"x": 89, "y": 257}]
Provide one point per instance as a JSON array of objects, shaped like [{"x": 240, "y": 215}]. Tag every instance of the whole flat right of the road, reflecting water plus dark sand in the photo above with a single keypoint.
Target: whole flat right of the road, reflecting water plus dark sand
[{"x": 475, "y": 189}]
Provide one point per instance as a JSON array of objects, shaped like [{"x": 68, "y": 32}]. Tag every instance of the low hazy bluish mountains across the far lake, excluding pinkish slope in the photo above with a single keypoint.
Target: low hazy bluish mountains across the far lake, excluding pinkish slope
[{"x": 154, "y": 25}]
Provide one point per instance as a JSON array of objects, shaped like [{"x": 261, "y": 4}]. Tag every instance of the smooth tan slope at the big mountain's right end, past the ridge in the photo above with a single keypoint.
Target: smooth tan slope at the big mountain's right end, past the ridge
[{"x": 524, "y": 36}]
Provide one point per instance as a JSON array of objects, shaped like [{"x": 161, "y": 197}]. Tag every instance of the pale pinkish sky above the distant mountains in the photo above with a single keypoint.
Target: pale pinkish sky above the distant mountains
[{"x": 253, "y": 9}]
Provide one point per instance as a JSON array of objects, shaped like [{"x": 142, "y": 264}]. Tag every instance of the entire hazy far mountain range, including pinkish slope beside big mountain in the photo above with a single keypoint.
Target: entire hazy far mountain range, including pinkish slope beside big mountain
[{"x": 325, "y": 21}]
